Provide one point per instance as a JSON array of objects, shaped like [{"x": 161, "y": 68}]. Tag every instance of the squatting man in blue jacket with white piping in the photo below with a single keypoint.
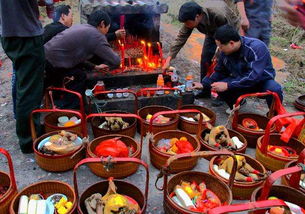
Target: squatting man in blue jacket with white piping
[{"x": 244, "y": 66}]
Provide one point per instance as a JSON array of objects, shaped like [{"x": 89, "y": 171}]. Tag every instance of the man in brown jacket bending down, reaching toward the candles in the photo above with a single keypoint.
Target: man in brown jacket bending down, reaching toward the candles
[{"x": 206, "y": 19}]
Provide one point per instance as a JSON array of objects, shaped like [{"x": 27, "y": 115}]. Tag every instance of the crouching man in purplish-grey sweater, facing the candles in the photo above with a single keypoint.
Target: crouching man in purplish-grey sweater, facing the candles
[{"x": 68, "y": 50}]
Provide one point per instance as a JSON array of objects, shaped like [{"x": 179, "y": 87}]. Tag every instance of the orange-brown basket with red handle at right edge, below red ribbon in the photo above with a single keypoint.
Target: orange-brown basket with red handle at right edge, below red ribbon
[{"x": 270, "y": 160}]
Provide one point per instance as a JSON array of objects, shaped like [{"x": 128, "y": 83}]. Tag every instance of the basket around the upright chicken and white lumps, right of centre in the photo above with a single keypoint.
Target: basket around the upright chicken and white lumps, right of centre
[{"x": 205, "y": 145}]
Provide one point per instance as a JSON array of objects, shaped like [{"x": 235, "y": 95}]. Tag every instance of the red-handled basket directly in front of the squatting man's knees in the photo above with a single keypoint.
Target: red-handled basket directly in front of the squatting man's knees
[{"x": 262, "y": 121}]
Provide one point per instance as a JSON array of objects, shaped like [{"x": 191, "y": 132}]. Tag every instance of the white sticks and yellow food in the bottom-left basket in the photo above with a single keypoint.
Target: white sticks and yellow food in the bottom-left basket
[{"x": 35, "y": 204}]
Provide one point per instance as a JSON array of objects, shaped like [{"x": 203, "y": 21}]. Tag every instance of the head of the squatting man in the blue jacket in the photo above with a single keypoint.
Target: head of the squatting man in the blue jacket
[{"x": 227, "y": 39}]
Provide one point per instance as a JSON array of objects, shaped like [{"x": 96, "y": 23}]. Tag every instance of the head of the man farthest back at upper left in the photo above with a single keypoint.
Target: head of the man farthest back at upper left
[{"x": 63, "y": 14}]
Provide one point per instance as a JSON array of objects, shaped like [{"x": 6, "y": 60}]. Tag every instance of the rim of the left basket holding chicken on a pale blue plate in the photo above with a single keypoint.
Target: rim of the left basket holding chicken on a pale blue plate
[{"x": 42, "y": 137}]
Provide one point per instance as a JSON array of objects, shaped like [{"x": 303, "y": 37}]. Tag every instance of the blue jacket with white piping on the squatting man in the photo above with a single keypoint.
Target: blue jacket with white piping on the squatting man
[{"x": 244, "y": 68}]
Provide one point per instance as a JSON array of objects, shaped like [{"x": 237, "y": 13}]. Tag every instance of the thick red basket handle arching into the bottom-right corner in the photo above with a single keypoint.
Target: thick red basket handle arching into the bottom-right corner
[{"x": 274, "y": 176}]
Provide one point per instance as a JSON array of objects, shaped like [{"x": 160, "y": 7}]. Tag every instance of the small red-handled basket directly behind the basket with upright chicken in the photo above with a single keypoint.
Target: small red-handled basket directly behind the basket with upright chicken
[{"x": 192, "y": 127}]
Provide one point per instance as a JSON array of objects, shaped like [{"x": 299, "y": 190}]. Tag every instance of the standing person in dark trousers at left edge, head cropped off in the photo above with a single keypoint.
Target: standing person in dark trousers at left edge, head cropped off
[{"x": 22, "y": 41}]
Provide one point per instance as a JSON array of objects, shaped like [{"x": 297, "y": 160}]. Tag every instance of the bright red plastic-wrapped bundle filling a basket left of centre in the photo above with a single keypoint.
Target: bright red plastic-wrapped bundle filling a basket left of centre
[{"x": 113, "y": 147}]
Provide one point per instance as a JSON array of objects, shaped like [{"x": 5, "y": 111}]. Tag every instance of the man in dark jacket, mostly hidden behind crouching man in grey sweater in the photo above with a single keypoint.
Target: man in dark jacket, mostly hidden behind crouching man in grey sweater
[{"x": 63, "y": 19}]
